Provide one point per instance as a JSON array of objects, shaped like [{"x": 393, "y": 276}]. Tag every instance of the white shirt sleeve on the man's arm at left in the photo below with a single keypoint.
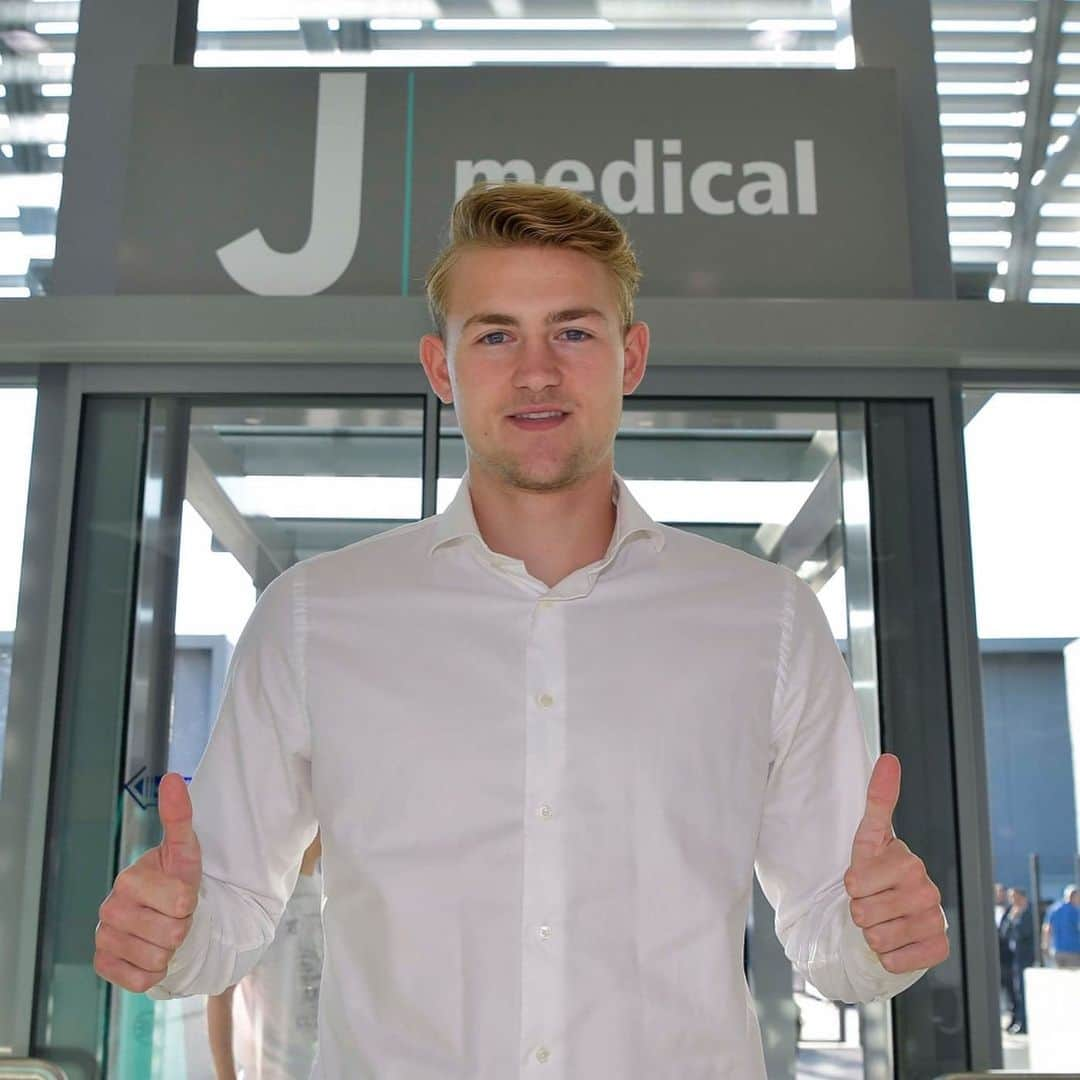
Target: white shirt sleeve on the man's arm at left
[{"x": 252, "y": 803}]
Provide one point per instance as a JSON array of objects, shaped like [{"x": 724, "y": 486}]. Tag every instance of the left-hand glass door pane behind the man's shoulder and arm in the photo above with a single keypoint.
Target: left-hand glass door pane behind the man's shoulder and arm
[{"x": 268, "y": 482}]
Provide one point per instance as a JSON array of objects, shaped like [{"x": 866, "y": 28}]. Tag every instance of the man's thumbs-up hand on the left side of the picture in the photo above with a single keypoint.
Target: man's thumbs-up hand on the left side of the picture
[{"x": 148, "y": 913}]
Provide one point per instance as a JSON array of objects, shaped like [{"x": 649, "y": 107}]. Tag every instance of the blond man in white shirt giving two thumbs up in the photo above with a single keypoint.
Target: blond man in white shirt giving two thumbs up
[{"x": 548, "y": 740}]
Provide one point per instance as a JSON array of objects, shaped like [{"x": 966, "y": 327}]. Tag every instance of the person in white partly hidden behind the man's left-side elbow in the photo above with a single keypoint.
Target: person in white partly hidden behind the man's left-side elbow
[{"x": 279, "y": 1016}]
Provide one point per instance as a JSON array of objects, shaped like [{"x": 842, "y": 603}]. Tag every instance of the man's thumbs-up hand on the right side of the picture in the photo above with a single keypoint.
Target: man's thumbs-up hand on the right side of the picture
[{"x": 894, "y": 900}]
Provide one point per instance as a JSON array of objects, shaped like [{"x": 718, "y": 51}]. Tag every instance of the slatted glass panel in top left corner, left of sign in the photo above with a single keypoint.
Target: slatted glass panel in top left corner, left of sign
[{"x": 37, "y": 46}]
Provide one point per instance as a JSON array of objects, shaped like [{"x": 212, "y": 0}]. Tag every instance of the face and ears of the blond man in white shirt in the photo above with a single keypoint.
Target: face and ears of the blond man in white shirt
[{"x": 492, "y": 368}]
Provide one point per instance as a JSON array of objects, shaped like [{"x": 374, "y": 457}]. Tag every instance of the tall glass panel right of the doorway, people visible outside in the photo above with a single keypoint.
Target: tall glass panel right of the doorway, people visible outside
[{"x": 1023, "y": 465}]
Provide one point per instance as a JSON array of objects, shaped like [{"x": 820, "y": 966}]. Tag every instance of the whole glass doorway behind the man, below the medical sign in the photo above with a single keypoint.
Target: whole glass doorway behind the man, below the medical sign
[{"x": 218, "y": 496}]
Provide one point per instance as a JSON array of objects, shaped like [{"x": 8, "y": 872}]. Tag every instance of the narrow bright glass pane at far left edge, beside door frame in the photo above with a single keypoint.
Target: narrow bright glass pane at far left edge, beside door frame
[{"x": 17, "y": 439}]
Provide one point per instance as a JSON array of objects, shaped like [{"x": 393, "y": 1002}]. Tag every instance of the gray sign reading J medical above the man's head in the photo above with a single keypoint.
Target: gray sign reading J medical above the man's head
[{"x": 732, "y": 183}]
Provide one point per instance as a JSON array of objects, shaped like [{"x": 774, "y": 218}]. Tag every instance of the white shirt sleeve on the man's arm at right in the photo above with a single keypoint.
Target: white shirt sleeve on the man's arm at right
[{"x": 816, "y": 795}]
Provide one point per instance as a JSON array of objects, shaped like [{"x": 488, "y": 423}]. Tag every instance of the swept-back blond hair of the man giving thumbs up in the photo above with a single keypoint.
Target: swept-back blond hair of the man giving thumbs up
[{"x": 502, "y": 213}]
